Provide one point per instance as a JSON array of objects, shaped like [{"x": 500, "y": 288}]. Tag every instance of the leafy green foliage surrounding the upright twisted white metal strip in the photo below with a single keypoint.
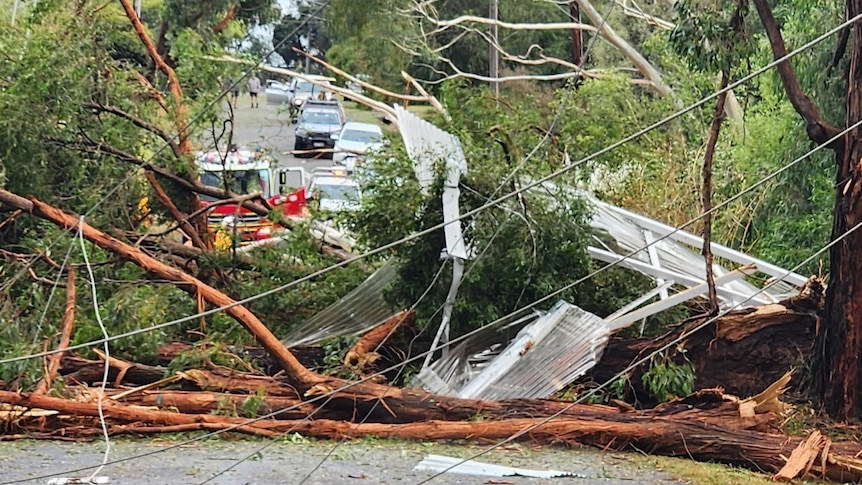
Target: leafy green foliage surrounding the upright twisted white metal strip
[{"x": 524, "y": 249}]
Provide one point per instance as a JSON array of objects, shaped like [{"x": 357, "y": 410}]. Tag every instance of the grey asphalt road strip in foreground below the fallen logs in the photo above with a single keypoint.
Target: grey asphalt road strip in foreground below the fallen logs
[{"x": 291, "y": 460}]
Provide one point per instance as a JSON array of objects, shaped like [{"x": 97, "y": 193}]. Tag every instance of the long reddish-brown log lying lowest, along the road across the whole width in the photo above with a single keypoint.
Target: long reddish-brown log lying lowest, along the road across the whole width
[{"x": 666, "y": 435}]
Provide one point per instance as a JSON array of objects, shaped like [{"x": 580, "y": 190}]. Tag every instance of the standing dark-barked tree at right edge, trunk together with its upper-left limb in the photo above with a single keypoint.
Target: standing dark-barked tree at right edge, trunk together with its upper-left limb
[{"x": 836, "y": 366}]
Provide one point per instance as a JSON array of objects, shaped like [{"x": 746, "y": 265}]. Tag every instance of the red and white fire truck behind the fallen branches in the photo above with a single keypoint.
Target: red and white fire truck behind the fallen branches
[{"x": 246, "y": 172}]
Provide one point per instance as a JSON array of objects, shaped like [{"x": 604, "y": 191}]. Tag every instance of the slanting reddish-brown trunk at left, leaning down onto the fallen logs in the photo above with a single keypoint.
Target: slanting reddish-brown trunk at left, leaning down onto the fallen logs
[{"x": 184, "y": 281}]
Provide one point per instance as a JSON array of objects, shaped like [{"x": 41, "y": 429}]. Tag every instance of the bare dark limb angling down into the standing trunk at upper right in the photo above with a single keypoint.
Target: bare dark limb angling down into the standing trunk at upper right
[{"x": 818, "y": 130}]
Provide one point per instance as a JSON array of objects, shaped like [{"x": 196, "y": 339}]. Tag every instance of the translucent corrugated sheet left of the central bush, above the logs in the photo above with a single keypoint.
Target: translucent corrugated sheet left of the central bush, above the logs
[{"x": 356, "y": 313}]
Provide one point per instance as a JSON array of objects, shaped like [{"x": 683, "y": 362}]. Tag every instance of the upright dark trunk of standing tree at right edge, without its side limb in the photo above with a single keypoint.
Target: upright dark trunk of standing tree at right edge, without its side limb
[{"x": 839, "y": 341}]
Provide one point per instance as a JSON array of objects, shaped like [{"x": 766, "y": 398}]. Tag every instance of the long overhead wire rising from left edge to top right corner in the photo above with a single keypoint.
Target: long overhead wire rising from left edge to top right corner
[{"x": 472, "y": 212}]
